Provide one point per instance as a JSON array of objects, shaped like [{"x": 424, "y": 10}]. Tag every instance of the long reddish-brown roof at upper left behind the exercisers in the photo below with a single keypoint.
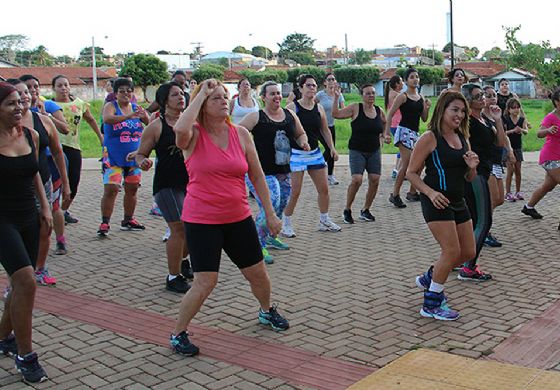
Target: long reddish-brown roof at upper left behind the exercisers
[{"x": 76, "y": 75}]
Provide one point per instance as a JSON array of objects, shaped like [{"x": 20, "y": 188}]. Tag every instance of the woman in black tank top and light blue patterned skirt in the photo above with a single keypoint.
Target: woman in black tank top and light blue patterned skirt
[{"x": 314, "y": 121}]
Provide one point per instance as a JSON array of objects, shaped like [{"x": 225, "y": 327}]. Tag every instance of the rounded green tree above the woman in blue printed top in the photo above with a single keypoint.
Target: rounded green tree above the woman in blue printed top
[{"x": 145, "y": 70}]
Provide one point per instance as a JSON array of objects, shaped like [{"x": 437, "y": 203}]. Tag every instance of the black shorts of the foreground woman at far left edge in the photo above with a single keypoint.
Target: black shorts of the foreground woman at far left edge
[{"x": 19, "y": 245}]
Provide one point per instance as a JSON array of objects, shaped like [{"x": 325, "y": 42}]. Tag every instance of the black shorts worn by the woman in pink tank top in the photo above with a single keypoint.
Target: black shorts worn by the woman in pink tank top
[{"x": 239, "y": 240}]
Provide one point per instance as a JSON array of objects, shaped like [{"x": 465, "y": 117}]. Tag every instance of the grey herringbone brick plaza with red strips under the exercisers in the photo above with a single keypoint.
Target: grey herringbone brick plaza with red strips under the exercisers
[{"x": 350, "y": 298}]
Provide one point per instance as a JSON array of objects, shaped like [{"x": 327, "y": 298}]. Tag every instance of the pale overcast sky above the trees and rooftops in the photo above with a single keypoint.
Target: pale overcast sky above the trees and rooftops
[{"x": 125, "y": 26}]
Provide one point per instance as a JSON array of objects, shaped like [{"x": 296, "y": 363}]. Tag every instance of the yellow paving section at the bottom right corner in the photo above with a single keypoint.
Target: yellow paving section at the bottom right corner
[{"x": 432, "y": 370}]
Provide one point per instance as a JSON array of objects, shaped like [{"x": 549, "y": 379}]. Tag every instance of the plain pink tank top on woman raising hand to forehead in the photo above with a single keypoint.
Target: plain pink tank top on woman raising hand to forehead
[{"x": 216, "y": 193}]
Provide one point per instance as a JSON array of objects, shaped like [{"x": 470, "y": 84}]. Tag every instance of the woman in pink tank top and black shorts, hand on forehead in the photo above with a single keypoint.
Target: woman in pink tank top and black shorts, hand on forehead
[{"x": 218, "y": 155}]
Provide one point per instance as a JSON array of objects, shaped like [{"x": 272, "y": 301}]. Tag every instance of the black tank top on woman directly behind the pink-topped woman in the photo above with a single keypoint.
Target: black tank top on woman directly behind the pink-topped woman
[{"x": 170, "y": 169}]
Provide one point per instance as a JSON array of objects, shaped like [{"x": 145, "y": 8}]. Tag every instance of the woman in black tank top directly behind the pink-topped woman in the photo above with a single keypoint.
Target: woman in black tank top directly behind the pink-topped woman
[{"x": 170, "y": 179}]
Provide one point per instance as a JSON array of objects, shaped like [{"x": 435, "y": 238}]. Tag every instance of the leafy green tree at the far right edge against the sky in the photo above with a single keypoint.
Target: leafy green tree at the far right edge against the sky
[{"x": 539, "y": 59}]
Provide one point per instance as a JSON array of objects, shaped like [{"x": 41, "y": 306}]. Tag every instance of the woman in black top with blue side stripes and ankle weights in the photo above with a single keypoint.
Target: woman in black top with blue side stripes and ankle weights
[{"x": 449, "y": 160}]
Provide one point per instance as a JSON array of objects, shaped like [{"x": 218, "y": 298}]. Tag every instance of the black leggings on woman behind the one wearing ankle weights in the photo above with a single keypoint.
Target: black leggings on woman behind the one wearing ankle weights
[{"x": 477, "y": 195}]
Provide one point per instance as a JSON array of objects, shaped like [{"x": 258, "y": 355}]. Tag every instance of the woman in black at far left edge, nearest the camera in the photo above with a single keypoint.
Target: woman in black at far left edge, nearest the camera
[{"x": 19, "y": 228}]
